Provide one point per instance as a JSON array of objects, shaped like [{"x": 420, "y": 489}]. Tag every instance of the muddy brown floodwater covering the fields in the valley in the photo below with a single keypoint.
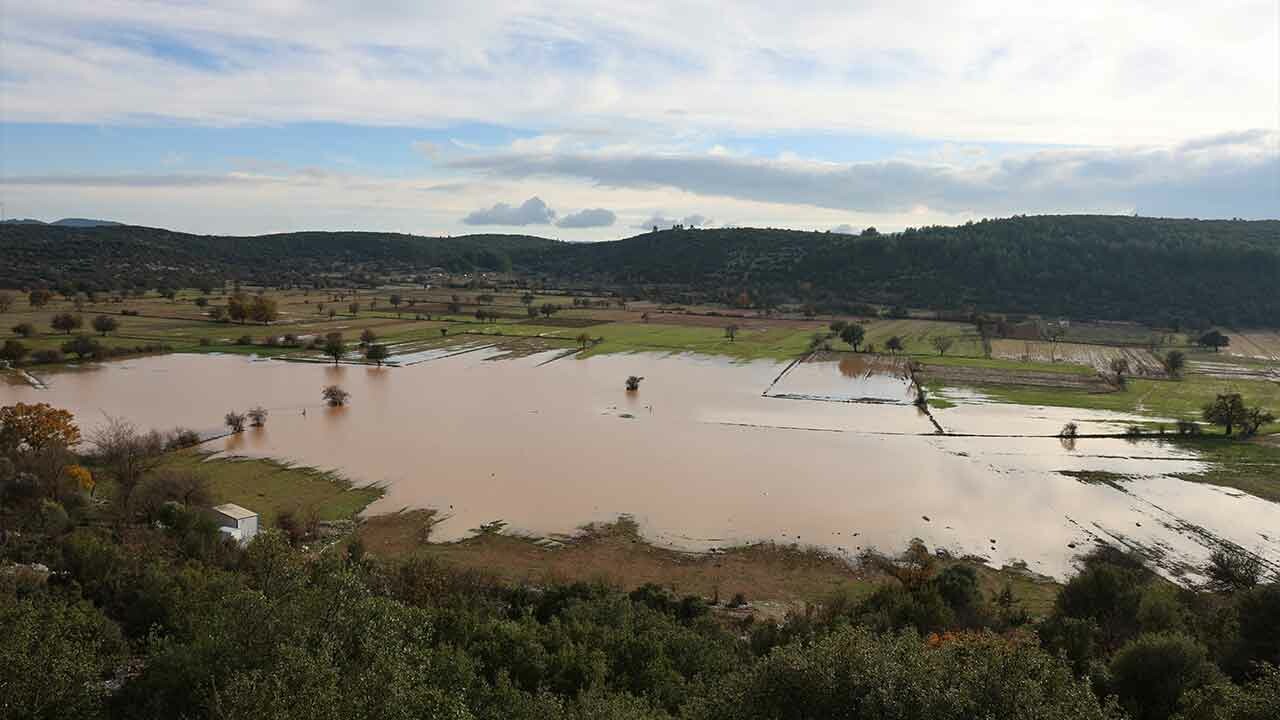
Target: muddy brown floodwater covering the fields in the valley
[{"x": 700, "y": 457}]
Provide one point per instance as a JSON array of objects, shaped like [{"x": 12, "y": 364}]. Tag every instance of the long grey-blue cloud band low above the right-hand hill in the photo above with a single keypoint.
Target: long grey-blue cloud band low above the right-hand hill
[{"x": 1236, "y": 175}]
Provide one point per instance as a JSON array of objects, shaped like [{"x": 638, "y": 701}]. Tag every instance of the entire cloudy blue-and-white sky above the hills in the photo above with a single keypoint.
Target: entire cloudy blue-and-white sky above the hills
[{"x": 596, "y": 121}]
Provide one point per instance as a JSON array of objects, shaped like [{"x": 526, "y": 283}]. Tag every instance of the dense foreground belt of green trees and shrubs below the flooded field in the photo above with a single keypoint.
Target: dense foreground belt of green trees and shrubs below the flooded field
[{"x": 120, "y": 598}]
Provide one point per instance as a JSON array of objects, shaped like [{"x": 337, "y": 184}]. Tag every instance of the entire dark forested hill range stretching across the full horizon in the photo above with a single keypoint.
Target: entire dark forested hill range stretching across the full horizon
[{"x": 1073, "y": 266}]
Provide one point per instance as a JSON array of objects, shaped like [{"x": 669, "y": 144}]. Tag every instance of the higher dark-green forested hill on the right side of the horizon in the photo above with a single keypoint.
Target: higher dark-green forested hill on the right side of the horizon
[{"x": 1075, "y": 266}]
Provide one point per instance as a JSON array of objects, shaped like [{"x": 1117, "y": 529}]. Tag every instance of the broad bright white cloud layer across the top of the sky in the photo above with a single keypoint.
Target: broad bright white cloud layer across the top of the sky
[{"x": 1087, "y": 72}]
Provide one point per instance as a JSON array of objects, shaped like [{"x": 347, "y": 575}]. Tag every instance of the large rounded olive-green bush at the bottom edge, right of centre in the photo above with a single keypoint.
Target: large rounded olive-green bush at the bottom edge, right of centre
[{"x": 853, "y": 673}]
